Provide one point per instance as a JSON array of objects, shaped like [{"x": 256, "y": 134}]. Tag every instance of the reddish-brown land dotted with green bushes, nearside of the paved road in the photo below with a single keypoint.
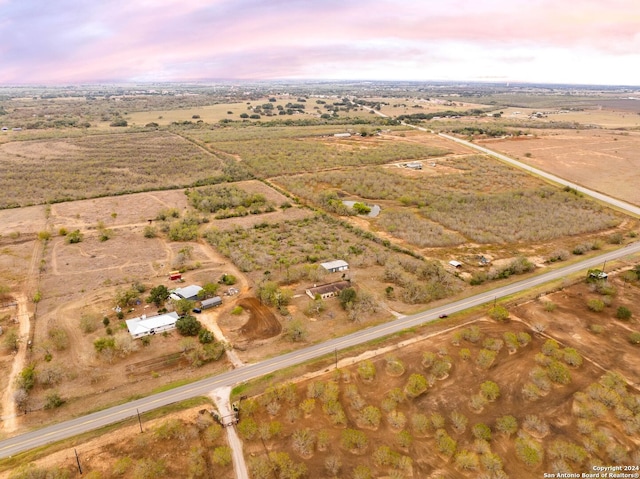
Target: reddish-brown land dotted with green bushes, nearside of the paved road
[{"x": 543, "y": 392}]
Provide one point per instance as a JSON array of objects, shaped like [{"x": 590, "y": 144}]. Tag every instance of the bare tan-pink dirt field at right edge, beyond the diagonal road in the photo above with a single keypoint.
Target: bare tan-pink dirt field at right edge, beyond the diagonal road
[{"x": 606, "y": 161}]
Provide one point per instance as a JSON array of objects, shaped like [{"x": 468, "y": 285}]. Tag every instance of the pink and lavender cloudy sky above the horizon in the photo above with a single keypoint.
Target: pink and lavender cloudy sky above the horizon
[{"x": 550, "y": 41}]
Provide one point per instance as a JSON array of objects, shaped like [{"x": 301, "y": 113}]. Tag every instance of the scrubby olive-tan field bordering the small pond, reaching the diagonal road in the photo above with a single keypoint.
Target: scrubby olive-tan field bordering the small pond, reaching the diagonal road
[{"x": 472, "y": 197}]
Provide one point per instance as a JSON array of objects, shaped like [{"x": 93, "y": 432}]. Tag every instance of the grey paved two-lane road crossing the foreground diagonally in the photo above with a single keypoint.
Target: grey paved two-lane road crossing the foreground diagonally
[{"x": 95, "y": 420}]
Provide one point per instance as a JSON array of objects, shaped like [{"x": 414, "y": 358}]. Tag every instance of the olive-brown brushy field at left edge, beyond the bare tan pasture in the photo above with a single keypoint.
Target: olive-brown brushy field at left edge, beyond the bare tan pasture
[{"x": 99, "y": 165}]
